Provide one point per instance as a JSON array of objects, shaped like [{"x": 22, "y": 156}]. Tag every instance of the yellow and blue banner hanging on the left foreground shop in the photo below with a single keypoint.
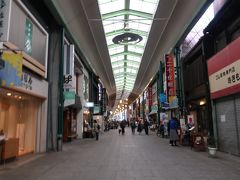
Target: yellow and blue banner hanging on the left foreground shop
[{"x": 11, "y": 74}]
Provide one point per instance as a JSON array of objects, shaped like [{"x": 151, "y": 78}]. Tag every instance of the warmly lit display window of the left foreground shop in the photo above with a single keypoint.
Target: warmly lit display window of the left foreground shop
[{"x": 18, "y": 119}]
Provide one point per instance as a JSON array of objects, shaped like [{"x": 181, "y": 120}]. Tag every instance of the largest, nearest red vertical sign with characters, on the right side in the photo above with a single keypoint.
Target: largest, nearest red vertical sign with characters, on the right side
[{"x": 170, "y": 75}]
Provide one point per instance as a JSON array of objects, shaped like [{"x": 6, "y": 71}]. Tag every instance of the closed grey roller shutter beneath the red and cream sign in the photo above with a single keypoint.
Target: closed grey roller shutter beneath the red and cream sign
[{"x": 226, "y": 125}]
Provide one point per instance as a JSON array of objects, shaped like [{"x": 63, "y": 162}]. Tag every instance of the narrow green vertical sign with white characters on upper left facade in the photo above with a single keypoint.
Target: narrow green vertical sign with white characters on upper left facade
[{"x": 28, "y": 37}]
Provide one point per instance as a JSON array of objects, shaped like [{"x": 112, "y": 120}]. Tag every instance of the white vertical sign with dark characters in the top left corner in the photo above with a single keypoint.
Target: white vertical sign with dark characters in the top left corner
[{"x": 5, "y": 10}]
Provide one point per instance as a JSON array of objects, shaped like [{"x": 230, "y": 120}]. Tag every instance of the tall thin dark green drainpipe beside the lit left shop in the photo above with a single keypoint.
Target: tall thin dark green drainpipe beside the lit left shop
[{"x": 61, "y": 98}]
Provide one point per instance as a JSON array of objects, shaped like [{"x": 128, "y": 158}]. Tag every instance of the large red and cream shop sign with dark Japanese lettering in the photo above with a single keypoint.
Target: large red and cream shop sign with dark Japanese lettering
[{"x": 224, "y": 71}]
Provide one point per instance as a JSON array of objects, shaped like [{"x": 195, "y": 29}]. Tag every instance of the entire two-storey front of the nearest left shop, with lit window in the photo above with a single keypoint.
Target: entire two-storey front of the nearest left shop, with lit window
[{"x": 23, "y": 88}]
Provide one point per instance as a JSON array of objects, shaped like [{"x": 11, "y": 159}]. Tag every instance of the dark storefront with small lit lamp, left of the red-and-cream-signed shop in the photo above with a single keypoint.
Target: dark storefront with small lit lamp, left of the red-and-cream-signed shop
[{"x": 196, "y": 90}]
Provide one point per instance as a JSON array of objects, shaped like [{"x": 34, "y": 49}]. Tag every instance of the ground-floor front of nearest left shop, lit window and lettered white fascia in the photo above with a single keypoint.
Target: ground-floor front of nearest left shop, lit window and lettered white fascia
[{"x": 23, "y": 116}]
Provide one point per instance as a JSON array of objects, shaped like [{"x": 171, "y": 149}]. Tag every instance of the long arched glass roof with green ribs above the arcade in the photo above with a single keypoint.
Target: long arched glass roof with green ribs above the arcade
[{"x": 119, "y": 17}]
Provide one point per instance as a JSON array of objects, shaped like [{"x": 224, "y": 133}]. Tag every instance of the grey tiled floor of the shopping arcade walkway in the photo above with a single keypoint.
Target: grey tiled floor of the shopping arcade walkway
[{"x": 128, "y": 157}]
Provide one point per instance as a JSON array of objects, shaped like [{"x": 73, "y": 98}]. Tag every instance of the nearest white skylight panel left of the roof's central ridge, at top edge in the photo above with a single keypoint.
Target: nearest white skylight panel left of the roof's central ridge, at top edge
[{"x": 110, "y": 6}]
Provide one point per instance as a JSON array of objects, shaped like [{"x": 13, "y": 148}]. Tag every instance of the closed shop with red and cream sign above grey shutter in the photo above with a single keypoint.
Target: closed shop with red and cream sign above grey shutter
[{"x": 224, "y": 78}]
